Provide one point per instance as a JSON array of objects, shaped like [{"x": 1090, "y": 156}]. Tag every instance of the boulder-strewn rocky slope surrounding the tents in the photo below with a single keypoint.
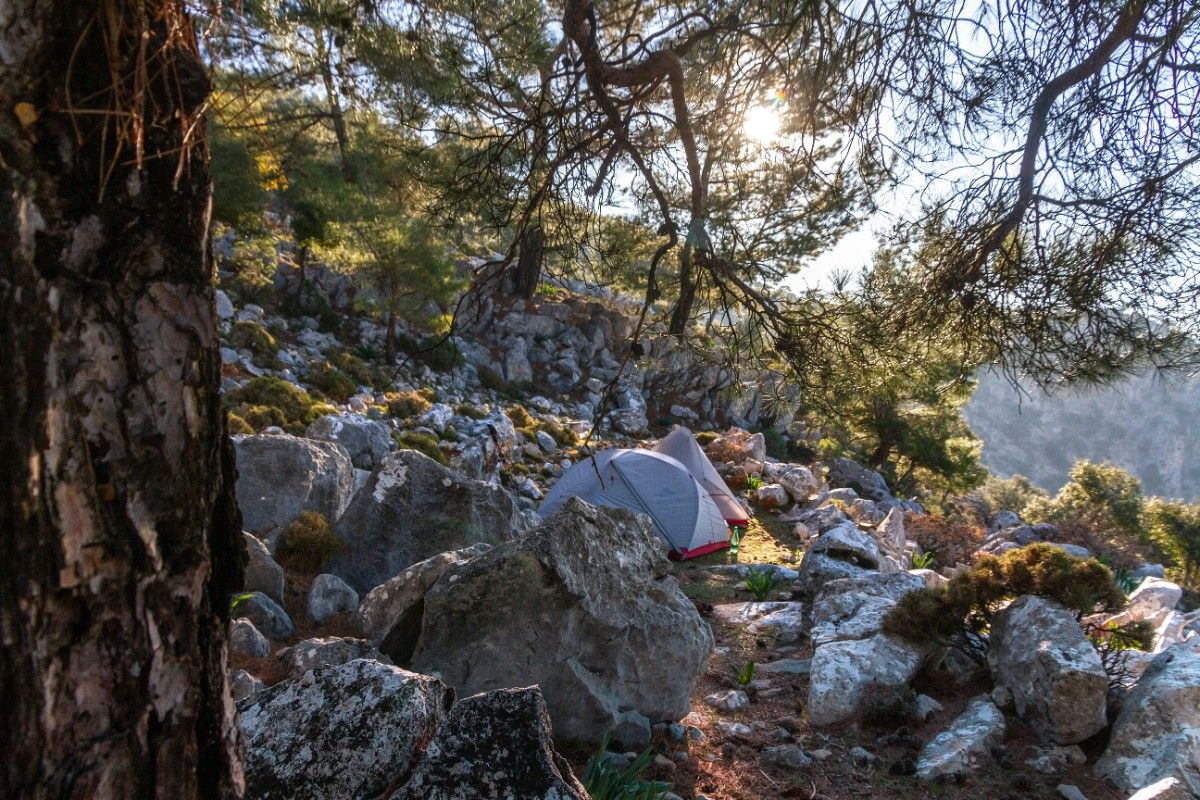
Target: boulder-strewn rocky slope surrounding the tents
[{"x": 401, "y": 590}]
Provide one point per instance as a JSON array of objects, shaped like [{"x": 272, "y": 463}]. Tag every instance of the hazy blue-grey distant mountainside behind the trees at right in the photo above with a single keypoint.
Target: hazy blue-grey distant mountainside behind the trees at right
[{"x": 1148, "y": 426}]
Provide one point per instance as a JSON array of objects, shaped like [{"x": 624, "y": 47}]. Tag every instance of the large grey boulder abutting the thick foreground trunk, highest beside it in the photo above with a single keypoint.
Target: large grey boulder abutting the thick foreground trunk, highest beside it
[{"x": 279, "y": 477}]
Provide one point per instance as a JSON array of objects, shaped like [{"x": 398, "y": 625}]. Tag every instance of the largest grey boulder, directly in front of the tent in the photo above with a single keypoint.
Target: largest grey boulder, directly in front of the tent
[{"x": 583, "y": 606}]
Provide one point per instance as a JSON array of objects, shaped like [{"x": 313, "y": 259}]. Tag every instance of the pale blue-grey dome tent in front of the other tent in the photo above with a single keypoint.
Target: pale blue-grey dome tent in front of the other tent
[{"x": 655, "y": 484}]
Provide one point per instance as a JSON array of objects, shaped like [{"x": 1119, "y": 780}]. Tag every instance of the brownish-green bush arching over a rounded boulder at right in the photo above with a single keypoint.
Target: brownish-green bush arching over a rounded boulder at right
[{"x": 961, "y": 613}]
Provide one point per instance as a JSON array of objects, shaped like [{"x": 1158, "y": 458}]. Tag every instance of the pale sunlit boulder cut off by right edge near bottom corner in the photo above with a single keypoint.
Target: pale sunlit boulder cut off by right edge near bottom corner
[{"x": 1157, "y": 735}]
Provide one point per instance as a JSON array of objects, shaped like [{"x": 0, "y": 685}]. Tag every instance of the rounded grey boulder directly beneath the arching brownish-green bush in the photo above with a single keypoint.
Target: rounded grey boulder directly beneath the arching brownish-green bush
[{"x": 1040, "y": 653}]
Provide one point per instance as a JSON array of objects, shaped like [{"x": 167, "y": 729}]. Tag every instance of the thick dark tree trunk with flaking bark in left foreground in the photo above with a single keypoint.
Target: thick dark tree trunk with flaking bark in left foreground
[{"x": 119, "y": 531}]
